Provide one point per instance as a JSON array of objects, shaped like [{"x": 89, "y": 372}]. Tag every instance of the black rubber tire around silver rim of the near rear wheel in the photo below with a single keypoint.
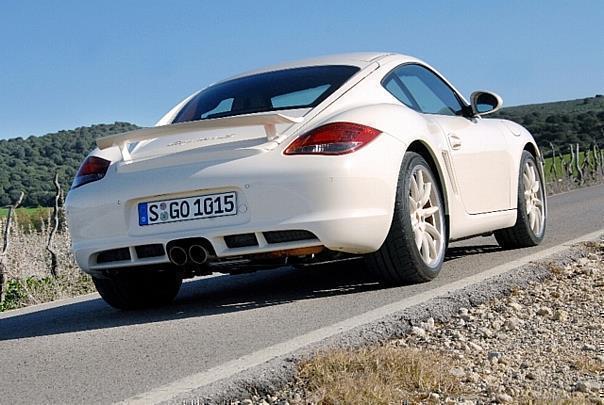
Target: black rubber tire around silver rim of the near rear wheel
[{"x": 399, "y": 260}]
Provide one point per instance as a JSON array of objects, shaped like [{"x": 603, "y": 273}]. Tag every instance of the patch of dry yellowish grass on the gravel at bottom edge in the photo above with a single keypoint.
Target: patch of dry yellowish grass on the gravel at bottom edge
[{"x": 380, "y": 375}]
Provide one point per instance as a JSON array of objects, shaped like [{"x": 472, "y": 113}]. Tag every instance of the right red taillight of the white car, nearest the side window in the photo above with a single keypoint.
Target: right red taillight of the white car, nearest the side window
[{"x": 337, "y": 138}]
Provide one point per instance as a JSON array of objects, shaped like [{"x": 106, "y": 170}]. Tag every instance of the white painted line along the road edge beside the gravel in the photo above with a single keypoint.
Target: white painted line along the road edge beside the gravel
[{"x": 230, "y": 368}]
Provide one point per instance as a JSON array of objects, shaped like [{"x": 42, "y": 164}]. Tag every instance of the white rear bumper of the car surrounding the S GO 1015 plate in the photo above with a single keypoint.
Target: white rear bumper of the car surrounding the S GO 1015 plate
[{"x": 345, "y": 201}]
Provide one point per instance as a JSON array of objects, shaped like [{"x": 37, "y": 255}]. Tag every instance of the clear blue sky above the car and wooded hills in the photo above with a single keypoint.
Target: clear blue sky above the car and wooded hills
[{"x": 67, "y": 63}]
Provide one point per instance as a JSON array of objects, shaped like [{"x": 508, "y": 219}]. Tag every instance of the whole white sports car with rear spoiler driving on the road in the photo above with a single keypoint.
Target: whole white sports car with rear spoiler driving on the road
[{"x": 368, "y": 155}]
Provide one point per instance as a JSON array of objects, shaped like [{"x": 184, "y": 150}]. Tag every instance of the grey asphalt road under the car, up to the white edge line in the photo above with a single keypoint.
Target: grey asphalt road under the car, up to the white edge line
[{"x": 84, "y": 350}]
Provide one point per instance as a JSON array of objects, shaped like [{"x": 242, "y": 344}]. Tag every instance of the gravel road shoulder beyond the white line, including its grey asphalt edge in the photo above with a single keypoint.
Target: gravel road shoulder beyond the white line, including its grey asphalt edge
[{"x": 534, "y": 335}]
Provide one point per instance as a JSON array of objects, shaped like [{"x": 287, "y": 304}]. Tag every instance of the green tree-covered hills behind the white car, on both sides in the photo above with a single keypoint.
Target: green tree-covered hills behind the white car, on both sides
[{"x": 29, "y": 164}]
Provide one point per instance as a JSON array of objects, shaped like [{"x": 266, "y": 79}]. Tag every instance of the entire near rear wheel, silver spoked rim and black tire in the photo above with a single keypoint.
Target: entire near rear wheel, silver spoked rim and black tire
[{"x": 414, "y": 249}]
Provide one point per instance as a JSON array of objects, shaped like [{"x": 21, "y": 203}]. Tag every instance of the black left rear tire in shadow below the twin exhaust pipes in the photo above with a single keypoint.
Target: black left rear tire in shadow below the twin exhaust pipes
[{"x": 139, "y": 289}]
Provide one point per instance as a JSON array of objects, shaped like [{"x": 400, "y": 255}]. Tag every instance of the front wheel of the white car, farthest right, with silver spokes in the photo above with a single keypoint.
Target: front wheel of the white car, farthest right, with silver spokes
[{"x": 529, "y": 229}]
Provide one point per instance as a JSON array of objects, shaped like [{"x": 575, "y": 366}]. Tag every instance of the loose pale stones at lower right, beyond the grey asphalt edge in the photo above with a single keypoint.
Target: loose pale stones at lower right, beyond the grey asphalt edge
[{"x": 540, "y": 344}]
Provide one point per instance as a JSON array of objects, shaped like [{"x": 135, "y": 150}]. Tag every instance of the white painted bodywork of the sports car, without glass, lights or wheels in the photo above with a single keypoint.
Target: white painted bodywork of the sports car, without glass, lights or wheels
[{"x": 347, "y": 201}]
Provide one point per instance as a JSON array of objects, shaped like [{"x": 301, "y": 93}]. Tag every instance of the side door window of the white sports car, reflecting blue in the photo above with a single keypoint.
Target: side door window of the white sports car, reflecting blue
[{"x": 430, "y": 93}]
